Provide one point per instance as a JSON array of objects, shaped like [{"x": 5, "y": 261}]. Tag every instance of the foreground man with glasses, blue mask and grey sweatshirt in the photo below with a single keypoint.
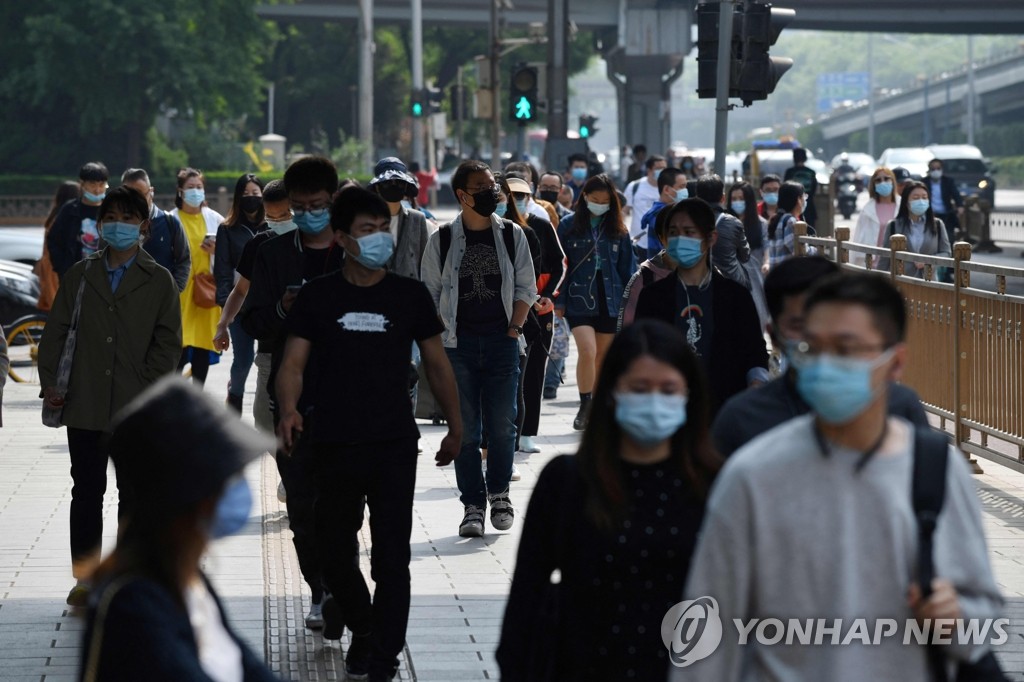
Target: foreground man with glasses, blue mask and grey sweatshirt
[{"x": 846, "y": 544}]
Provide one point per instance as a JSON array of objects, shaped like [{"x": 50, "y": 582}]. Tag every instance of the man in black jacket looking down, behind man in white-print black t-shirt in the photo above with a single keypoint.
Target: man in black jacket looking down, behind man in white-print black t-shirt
[{"x": 284, "y": 265}]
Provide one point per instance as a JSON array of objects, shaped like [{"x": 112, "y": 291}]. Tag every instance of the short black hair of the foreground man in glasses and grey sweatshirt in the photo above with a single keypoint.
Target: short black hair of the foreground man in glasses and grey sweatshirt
[{"x": 883, "y": 302}]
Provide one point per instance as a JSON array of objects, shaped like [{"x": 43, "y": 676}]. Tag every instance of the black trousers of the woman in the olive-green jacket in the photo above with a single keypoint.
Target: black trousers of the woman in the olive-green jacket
[{"x": 89, "y": 474}]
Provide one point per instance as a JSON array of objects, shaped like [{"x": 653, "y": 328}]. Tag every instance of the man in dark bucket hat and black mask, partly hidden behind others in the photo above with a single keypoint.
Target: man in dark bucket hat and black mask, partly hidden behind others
[{"x": 409, "y": 227}]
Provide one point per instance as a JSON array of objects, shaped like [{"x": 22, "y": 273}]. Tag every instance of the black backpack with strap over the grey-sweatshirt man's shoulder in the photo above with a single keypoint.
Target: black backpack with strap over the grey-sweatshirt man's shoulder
[{"x": 931, "y": 453}]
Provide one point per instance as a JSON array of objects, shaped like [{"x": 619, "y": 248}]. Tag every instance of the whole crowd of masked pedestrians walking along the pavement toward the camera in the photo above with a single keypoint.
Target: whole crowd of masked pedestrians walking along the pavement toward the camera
[{"x": 700, "y": 472}]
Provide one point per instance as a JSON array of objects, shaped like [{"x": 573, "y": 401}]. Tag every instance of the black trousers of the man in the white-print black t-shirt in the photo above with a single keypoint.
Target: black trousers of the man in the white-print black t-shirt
[{"x": 382, "y": 475}]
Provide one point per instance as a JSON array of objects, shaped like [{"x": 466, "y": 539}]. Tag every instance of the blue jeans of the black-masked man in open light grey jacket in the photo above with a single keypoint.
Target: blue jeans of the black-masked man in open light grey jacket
[{"x": 487, "y": 371}]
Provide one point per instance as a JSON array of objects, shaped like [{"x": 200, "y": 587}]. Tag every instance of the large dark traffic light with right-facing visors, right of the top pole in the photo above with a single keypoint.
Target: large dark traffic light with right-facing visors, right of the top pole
[{"x": 761, "y": 73}]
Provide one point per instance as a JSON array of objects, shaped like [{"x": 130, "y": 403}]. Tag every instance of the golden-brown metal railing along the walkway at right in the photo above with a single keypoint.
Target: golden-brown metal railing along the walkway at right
[{"x": 966, "y": 357}]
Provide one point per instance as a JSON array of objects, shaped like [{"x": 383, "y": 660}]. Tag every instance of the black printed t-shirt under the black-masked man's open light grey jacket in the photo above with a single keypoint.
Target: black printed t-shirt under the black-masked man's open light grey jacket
[{"x": 482, "y": 312}]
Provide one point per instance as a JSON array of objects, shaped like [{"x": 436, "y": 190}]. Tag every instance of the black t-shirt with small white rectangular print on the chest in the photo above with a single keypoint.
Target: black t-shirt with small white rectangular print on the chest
[{"x": 362, "y": 347}]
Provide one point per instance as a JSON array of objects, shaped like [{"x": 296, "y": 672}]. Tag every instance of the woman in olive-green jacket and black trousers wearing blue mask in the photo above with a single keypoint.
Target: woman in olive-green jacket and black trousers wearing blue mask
[{"x": 130, "y": 335}]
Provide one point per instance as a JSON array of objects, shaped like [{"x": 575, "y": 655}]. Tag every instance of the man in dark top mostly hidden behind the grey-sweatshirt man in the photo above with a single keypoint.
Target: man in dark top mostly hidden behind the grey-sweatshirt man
[{"x": 756, "y": 411}]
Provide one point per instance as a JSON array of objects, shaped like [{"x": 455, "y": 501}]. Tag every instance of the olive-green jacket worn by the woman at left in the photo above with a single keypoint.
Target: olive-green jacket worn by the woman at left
[{"x": 126, "y": 342}]
